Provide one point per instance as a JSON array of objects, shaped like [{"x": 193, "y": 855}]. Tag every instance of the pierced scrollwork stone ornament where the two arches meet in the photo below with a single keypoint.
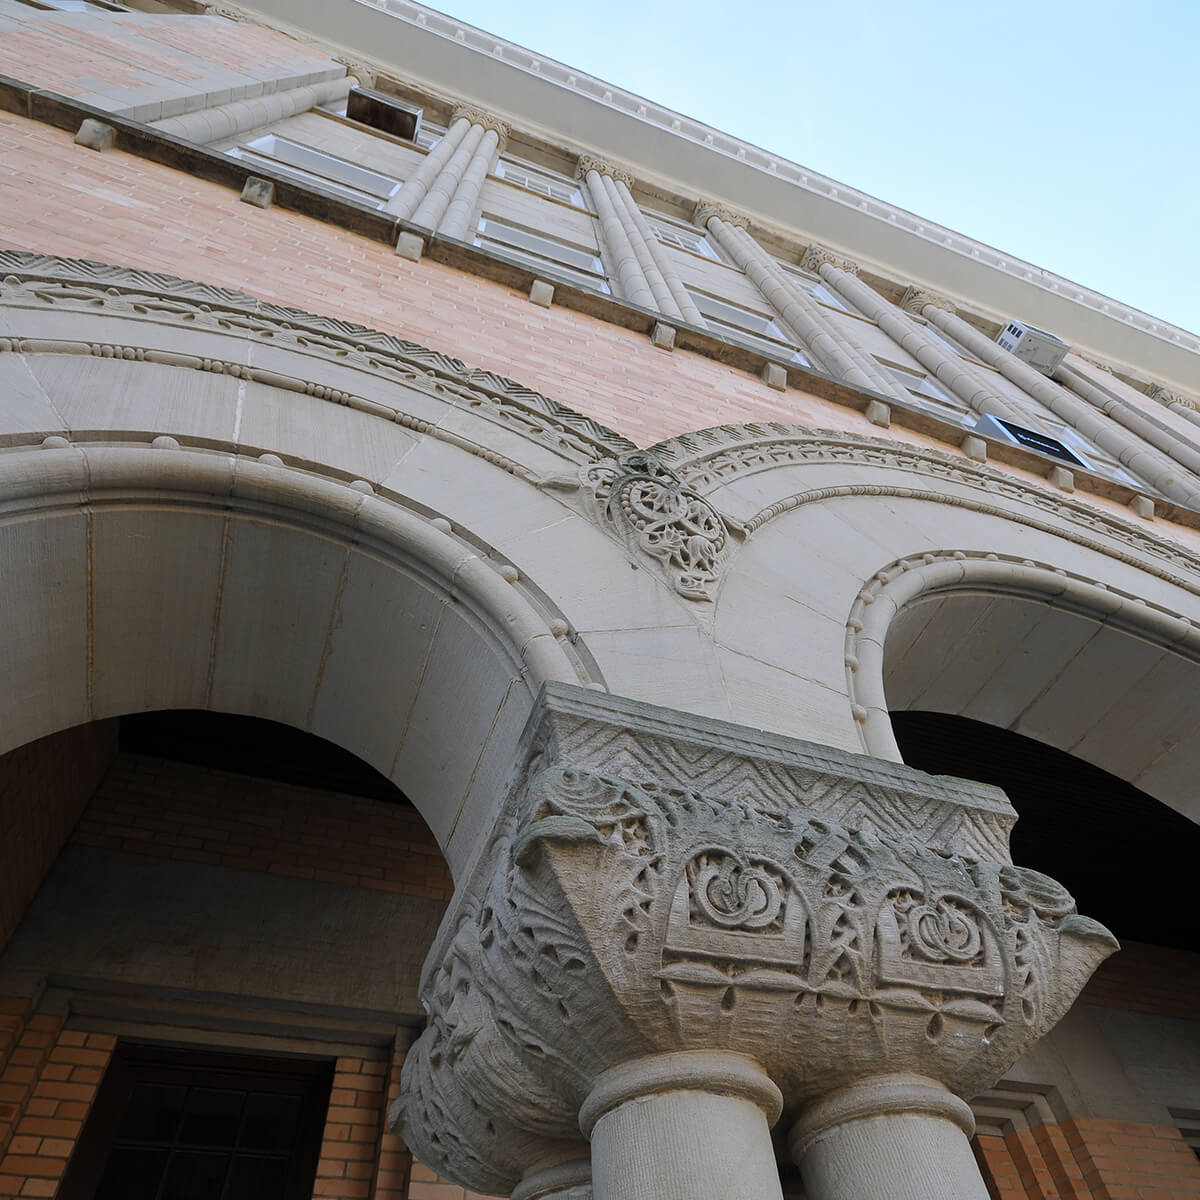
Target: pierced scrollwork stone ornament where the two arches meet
[{"x": 649, "y": 505}]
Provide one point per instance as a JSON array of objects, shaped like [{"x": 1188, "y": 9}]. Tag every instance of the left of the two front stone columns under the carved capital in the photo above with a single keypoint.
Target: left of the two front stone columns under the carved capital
[{"x": 681, "y": 1126}]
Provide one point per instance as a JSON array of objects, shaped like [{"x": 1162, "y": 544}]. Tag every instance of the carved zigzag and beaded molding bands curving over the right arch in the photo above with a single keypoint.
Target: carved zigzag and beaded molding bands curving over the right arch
[{"x": 709, "y": 459}]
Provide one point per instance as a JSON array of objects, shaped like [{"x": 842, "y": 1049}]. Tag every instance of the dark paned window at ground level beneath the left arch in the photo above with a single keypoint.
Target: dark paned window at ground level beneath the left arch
[{"x": 188, "y": 1125}]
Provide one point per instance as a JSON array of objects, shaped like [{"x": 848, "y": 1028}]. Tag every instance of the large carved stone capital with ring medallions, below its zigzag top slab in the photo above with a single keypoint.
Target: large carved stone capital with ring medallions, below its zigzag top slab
[{"x": 622, "y": 921}]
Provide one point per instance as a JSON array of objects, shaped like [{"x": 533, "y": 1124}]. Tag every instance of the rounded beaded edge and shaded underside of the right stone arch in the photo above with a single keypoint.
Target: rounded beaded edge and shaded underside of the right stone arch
[{"x": 1076, "y": 664}]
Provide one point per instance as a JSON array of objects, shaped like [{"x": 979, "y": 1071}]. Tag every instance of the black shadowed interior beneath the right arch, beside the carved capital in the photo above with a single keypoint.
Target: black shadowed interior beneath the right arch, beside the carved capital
[{"x": 1129, "y": 860}]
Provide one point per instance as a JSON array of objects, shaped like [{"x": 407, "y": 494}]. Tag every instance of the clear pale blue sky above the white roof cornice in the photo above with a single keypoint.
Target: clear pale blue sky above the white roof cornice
[{"x": 1064, "y": 133}]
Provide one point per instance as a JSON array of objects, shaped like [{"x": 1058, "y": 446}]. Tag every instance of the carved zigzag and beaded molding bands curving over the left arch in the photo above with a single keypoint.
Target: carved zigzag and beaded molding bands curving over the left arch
[{"x": 46, "y": 280}]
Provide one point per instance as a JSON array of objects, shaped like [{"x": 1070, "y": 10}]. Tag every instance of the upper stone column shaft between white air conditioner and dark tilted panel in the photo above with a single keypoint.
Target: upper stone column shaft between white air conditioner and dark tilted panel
[{"x": 1151, "y": 465}]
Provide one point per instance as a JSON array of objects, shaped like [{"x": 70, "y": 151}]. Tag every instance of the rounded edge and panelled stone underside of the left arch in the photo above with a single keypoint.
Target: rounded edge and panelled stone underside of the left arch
[{"x": 160, "y": 578}]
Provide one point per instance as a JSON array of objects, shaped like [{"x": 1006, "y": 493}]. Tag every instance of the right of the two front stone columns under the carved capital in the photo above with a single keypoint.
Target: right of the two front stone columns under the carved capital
[{"x": 896, "y": 1138}]
